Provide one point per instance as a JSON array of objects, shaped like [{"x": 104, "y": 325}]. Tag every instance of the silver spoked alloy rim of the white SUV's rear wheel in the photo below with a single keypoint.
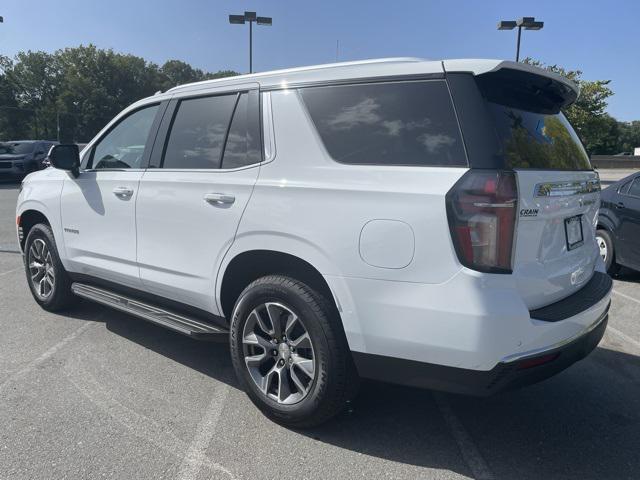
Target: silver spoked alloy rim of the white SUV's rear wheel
[{"x": 278, "y": 353}]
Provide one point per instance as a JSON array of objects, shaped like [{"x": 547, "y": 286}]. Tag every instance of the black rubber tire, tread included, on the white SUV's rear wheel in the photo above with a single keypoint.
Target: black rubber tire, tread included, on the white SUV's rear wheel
[{"x": 335, "y": 381}]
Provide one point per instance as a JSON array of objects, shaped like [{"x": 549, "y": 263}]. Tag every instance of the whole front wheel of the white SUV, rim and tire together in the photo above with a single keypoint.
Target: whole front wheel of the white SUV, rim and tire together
[{"x": 48, "y": 280}]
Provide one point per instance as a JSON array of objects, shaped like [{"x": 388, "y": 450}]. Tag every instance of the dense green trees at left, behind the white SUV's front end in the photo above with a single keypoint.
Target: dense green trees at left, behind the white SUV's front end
[{"x": 79, "y": 89}]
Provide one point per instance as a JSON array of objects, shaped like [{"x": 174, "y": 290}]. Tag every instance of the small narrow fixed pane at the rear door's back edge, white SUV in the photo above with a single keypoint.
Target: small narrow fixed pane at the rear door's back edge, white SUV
[{"x": 243, "y": 142}]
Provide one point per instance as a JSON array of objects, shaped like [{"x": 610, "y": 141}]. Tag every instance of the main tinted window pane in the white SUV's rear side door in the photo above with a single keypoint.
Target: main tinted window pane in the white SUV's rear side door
[{"x": 198, "y": 131}]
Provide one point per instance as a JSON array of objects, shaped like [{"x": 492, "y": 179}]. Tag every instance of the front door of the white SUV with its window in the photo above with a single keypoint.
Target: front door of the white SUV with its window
[{"x": 98, "y": 207}]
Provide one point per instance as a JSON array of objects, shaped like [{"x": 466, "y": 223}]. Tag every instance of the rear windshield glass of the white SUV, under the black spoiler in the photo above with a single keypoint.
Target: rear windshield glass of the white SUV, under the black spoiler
[{"x": 538, "y": 140}]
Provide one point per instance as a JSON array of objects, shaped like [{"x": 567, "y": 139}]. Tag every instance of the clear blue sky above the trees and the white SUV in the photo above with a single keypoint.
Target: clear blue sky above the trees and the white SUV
[{"x": 601, "y": 38}]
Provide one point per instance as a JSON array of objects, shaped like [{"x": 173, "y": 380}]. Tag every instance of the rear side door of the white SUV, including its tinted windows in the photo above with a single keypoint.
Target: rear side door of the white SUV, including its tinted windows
[{"x": 204, "y": 165}]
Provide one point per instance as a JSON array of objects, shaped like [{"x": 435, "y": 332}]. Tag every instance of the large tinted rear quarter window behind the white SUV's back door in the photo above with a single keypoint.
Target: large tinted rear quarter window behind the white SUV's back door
[{"x": 403, "y": 123}]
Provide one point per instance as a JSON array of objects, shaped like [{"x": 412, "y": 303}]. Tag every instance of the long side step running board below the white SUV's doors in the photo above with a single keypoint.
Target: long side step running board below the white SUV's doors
[{"x": 173, "y": 321}]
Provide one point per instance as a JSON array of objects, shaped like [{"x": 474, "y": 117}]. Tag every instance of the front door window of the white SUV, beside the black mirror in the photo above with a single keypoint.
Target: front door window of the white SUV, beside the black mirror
[{"x": 123, "y": 146}]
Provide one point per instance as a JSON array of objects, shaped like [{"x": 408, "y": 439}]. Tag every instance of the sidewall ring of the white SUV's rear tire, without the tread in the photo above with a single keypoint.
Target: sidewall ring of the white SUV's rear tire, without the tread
[{"x": 255, "y": 295}]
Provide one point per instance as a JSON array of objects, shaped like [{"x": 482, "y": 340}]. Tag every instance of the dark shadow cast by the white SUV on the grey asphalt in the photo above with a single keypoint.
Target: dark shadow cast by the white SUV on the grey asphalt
[{"x": 583, "y": 423}]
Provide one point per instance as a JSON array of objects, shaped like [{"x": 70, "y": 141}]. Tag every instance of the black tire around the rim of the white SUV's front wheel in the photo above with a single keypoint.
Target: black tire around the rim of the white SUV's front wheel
[{"x": 60, "y": 296}]
